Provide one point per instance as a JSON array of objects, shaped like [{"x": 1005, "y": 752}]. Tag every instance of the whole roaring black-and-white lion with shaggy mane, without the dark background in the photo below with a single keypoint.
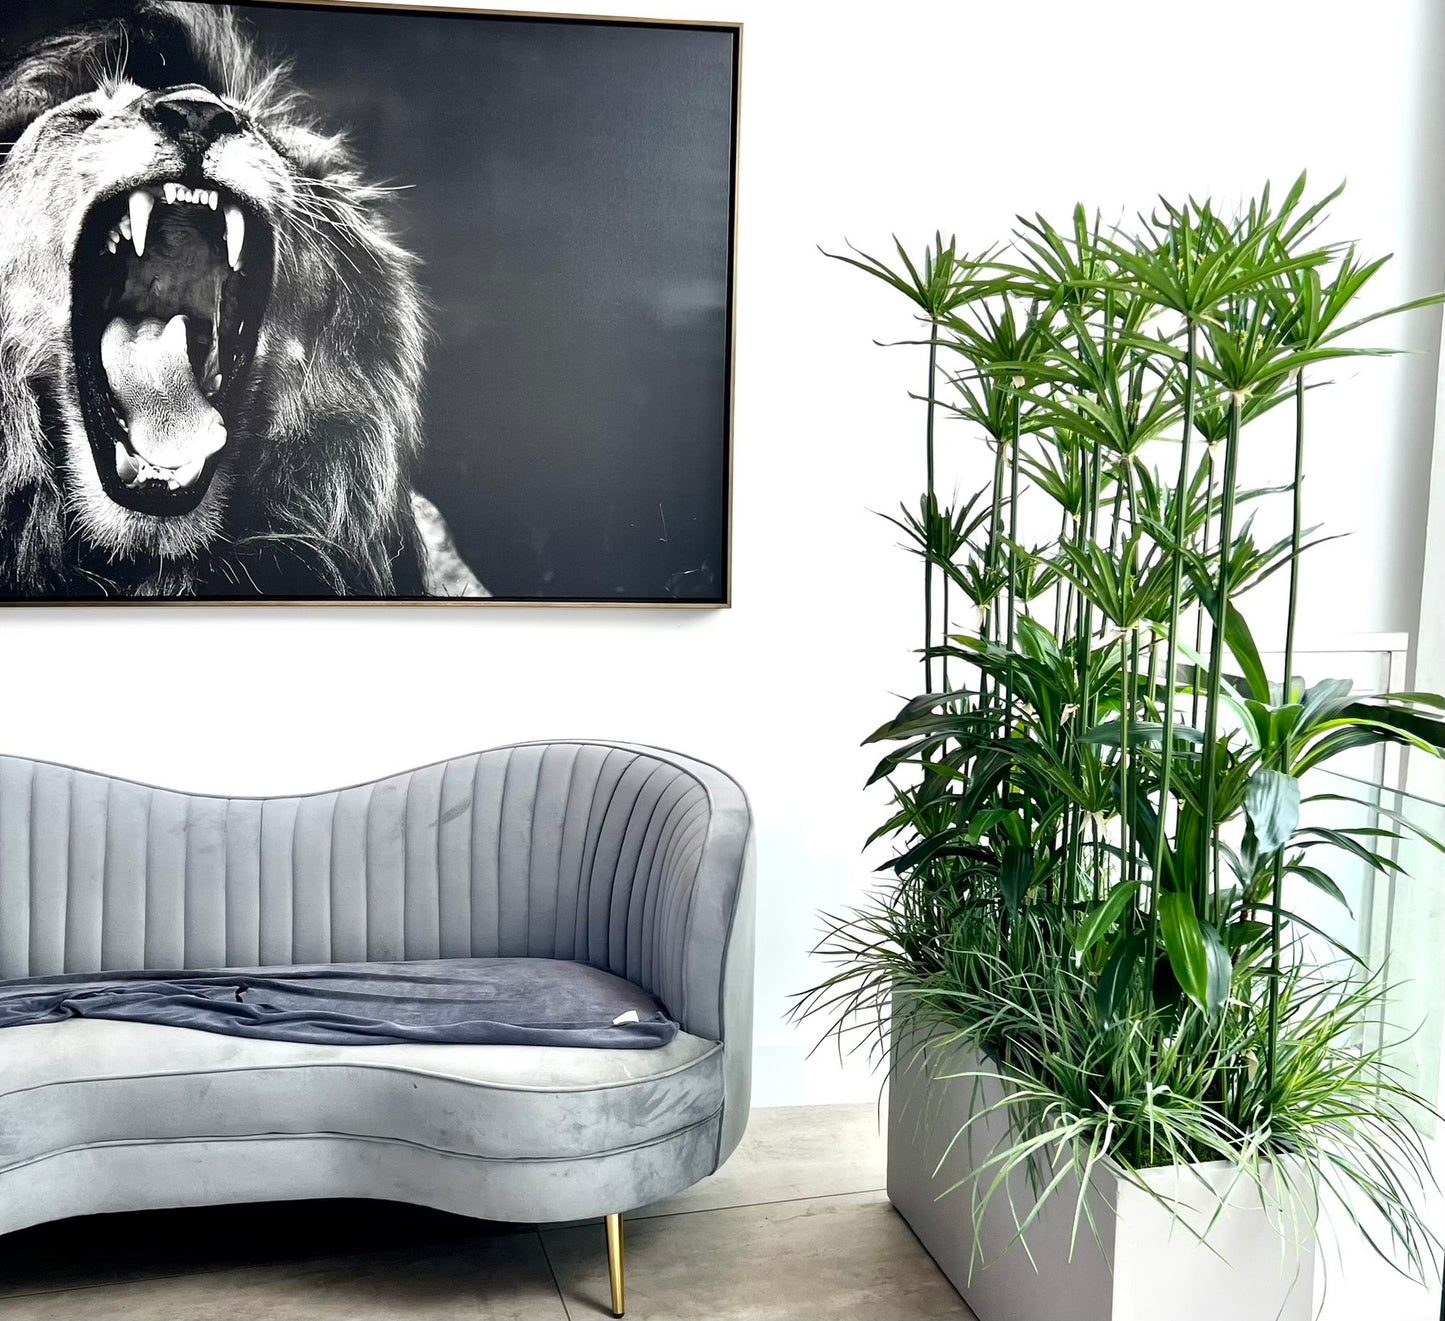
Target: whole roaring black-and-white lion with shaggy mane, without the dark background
[{"x": 212, "y": 345}]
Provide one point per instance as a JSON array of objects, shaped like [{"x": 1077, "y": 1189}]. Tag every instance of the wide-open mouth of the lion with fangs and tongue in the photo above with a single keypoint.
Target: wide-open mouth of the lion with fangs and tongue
[{"x": 171, "y": 285}]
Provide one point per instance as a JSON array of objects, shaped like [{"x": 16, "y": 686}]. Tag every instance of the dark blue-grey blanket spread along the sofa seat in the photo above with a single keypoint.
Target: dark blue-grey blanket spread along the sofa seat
[{"x": 457, "y": 1001}]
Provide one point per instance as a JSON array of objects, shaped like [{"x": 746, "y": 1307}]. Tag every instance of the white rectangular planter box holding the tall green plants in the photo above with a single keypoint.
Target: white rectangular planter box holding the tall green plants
[{"x": 1259, "y": 1264}]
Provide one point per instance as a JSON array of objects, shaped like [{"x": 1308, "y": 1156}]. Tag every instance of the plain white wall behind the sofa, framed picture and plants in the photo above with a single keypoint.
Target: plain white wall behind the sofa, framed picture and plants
[{"x": 859, "y": 121}]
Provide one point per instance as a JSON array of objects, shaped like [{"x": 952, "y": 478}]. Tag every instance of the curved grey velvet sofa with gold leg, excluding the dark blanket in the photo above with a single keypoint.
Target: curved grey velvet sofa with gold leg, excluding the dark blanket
[{"x": 626, "y": 858}]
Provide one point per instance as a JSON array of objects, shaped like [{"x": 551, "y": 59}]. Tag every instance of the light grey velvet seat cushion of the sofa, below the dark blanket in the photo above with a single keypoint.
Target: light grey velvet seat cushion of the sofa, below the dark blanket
[{"x": 83, "y": 1082}]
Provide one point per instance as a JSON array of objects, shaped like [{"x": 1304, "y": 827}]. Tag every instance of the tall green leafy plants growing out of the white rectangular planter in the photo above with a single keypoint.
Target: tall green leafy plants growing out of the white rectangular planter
[{"x": 1097, "y": 799}]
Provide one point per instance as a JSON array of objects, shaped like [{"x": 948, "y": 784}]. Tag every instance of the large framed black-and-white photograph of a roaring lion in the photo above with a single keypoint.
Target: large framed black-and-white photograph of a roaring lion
[{"x": 309, "y": 303}]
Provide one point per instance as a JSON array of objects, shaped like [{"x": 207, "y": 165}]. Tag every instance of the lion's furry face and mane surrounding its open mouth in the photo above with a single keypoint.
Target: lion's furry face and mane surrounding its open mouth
[{"x": 311, "y": 495}]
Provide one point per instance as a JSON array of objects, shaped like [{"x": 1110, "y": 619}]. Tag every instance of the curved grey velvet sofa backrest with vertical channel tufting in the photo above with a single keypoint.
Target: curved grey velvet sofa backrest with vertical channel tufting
[{"x": 548, "y": 851}]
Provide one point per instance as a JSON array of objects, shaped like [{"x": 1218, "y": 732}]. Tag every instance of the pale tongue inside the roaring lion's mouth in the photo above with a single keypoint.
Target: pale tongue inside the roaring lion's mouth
[{"x": 173, "y": 429}]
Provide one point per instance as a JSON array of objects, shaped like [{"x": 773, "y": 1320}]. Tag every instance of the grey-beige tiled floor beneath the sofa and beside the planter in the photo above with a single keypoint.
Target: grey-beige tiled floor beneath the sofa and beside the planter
[{"x": 794, "y": 1226}]
